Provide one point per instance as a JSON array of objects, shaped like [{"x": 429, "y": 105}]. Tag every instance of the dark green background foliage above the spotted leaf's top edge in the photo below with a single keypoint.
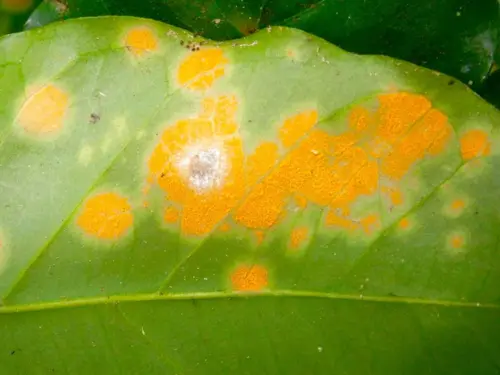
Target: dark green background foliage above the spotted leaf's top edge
[{"x": 456, "y": 37}]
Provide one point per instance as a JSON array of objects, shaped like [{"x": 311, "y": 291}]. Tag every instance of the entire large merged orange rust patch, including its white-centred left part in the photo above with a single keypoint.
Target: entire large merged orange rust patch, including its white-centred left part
[{"x": 331, "y": 171}]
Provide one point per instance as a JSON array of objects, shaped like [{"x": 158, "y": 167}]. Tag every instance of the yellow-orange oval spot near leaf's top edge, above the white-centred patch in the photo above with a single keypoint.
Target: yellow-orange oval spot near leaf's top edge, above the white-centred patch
[{"x": 200, "y": 69}]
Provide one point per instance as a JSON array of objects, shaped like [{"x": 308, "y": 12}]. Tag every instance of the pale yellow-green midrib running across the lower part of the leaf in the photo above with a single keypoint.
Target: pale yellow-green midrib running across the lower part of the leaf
[{"x": 150, "y": 297}]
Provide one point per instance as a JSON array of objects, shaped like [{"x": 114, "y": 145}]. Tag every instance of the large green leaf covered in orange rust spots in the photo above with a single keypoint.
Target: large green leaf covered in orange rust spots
[{"x": 274, "y": 204}]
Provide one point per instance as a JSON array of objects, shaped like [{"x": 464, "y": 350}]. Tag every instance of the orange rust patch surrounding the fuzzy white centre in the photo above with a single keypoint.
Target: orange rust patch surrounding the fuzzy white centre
[{"x": 199, "y": 163}]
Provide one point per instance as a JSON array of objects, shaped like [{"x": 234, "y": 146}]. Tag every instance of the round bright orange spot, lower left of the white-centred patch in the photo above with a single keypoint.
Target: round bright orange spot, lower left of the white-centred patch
[{"x": 106, "y": 216}]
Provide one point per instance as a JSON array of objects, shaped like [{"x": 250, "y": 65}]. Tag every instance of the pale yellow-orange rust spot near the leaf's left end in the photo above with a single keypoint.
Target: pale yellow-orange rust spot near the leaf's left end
[{"x": 43, "y": 112}]
